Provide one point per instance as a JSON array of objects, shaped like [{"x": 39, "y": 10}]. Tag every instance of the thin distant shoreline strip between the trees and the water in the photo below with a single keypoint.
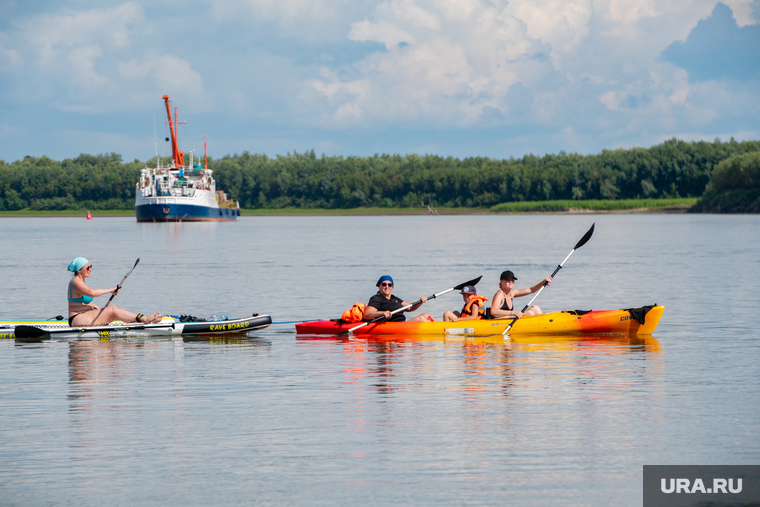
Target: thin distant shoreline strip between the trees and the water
[{"x": 681, "y": 208}]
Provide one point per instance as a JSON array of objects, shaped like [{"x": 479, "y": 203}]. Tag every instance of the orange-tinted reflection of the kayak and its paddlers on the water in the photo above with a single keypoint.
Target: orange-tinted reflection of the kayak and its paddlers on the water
[{"x": 480, "y": 367}]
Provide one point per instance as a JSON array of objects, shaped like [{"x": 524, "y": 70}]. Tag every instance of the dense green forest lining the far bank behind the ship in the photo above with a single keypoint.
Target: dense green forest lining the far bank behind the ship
[{"x": 723, "y": 174}]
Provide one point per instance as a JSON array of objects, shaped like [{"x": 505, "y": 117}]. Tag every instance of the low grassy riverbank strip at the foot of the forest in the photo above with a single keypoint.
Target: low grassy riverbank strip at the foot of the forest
[{"x": 532, "y": 207}]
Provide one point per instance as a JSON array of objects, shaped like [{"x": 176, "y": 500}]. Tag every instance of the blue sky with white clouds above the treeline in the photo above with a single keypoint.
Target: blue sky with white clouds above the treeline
[{"x": 460, "y": 78}]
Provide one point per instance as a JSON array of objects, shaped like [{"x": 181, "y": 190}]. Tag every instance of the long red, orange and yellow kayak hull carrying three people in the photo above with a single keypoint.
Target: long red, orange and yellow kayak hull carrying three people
[{"x": 633, "y": 321}]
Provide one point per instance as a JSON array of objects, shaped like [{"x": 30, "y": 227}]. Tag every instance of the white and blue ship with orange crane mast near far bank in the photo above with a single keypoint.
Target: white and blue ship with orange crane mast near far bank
[{"x": 179, "y": 192}]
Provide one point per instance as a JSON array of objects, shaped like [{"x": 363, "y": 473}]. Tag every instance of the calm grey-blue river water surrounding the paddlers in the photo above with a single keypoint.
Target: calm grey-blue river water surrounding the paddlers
[{"x": 278, "y": 419}]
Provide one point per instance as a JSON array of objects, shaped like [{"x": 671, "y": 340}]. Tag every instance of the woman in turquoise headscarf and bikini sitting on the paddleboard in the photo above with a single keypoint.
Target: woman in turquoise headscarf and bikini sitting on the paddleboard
[{"x": 83, "y": 312}]
